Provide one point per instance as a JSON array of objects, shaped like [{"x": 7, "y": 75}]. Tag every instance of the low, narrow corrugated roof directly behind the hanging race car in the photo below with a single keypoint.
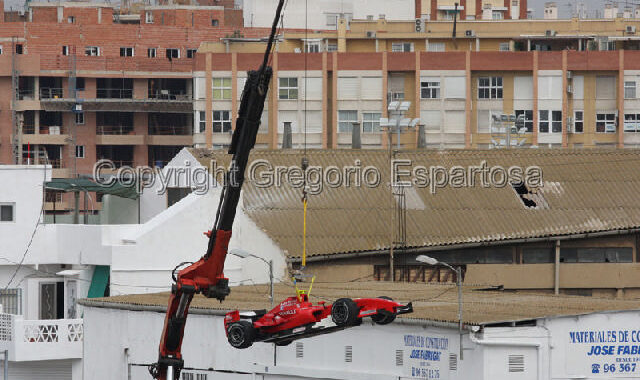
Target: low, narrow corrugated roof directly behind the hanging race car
[{"x": 433, "y": 302}]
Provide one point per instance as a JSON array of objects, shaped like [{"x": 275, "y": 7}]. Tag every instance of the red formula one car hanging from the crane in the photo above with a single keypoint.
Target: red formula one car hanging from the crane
[{"x": 295, "y": 318}]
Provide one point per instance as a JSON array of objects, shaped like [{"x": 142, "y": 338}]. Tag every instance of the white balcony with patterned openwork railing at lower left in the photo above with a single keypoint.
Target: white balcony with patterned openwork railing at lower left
[{"x": 30, "y": 340}]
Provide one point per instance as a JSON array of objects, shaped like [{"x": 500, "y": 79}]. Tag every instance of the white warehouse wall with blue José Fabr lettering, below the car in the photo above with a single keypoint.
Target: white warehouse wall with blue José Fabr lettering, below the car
[{"x": 547, "y": 349}]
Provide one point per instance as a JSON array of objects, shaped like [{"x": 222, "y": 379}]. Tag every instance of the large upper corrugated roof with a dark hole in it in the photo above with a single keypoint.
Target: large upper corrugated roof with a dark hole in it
[{"x": 584, "y": 191}]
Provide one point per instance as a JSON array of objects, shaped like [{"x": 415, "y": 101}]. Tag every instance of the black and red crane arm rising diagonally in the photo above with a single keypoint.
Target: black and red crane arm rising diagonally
[{"x": 206, "y": 276}]
